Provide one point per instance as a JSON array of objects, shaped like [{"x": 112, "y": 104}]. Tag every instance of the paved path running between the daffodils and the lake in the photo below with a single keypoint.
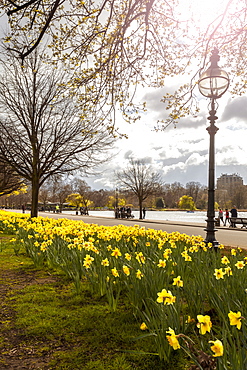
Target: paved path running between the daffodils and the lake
[{"x": 225, "y": 235}]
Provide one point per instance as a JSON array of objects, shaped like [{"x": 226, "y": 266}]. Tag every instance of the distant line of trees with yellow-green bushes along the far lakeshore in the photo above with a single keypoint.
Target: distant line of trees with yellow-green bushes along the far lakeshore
[{"x": 168, "y": 196}]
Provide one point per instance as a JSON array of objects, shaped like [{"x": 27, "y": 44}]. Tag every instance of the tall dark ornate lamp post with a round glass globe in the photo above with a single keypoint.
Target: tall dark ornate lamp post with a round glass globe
[{"x": 213, "y": 83}]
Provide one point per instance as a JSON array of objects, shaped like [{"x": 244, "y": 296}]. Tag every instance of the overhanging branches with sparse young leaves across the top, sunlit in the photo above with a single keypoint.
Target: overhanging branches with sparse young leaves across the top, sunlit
[{"x": 114, "y": 44}]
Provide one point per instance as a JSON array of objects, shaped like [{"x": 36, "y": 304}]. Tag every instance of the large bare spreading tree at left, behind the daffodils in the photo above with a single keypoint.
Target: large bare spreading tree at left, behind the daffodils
[{"x": 42, "y": 131}]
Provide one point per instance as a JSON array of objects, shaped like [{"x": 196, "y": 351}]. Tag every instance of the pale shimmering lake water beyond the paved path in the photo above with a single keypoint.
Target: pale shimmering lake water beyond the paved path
[{"x": 197, "y": 216}]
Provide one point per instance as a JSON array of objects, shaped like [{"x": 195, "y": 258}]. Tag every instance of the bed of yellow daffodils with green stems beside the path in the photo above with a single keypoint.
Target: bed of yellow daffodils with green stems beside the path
[{"x": 179, "y": 289}]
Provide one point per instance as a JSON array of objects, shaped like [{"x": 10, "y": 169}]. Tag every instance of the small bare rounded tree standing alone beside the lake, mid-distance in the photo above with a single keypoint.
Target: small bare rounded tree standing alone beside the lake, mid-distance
[{"x": 140, "y": 179}]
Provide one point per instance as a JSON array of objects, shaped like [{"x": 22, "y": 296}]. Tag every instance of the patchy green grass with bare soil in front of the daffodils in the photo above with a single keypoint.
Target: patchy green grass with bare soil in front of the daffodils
[{"x": 48, "y": 326}]
